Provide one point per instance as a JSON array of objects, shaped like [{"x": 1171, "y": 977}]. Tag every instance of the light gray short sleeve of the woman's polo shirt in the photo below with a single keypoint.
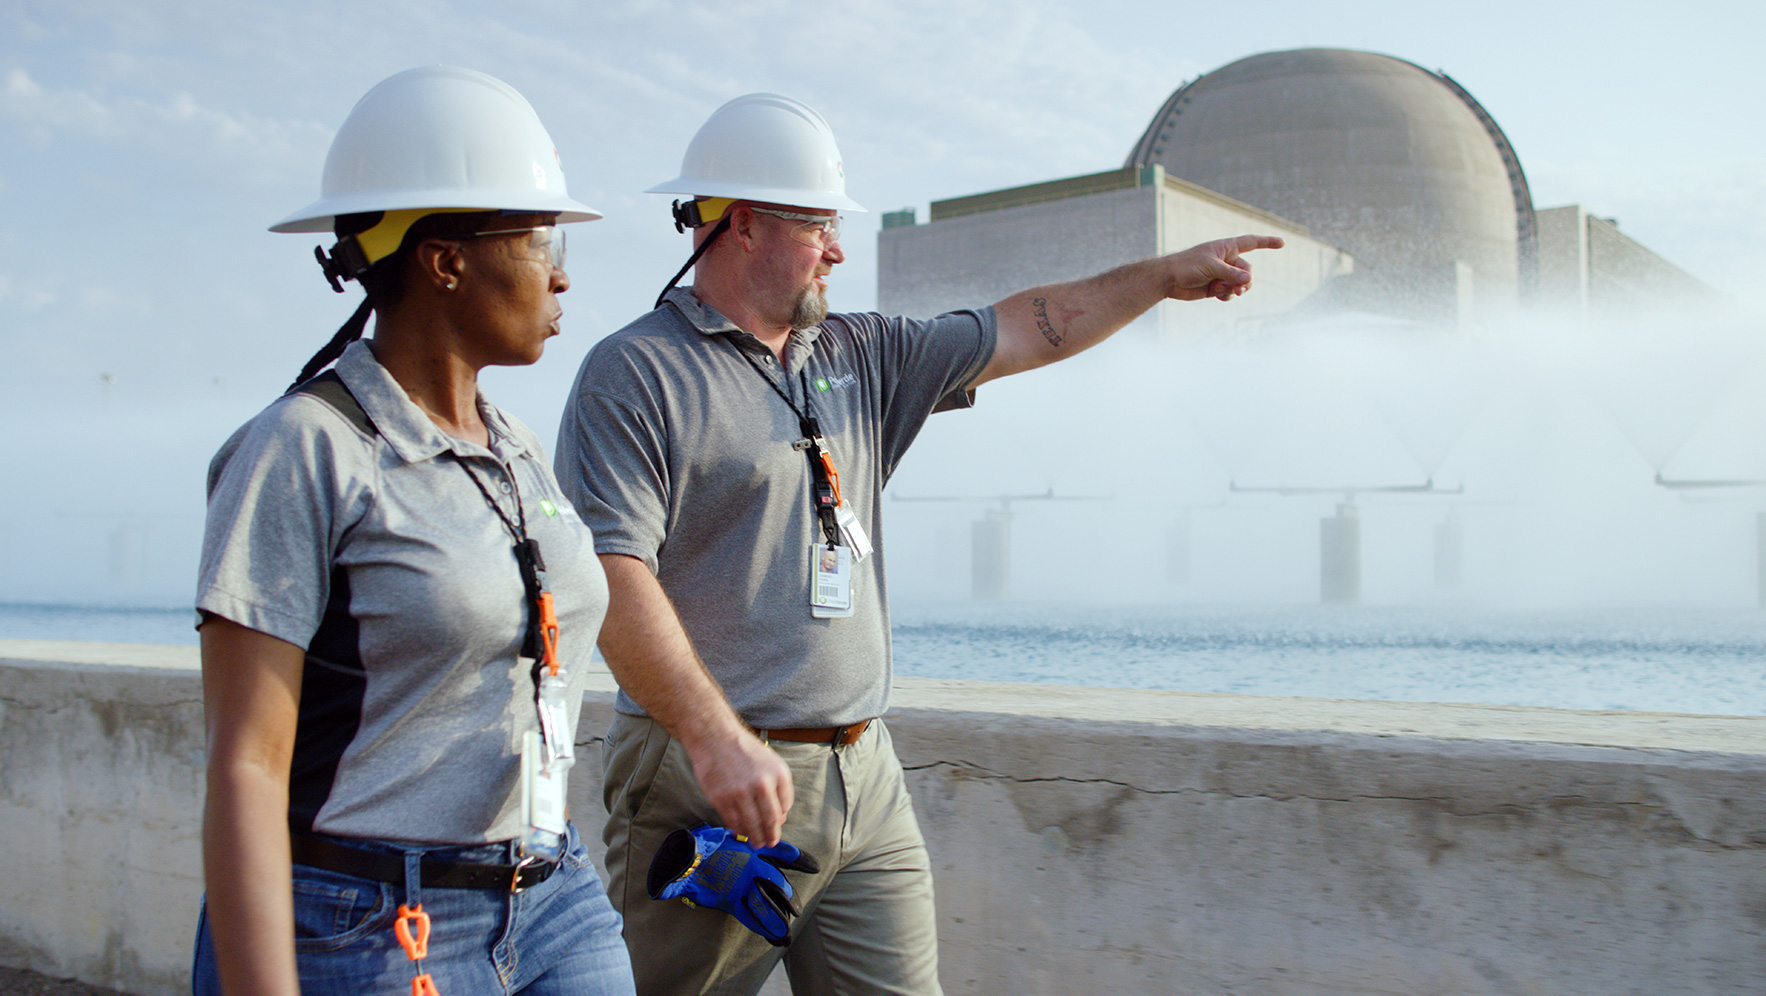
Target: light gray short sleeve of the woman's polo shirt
[{"x": 278, "y": 497}]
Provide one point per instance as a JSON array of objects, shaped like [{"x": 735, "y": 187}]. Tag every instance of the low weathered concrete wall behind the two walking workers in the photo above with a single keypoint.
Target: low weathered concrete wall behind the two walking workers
[{"x": 1085, "y": 840}]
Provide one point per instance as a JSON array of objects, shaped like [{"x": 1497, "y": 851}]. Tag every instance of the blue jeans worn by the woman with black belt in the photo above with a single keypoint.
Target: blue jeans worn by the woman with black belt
[{"x": 557, "y": 939}]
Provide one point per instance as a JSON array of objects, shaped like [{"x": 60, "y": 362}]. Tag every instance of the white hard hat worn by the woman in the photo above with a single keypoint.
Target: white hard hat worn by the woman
[{"x": 441, "y": 137}]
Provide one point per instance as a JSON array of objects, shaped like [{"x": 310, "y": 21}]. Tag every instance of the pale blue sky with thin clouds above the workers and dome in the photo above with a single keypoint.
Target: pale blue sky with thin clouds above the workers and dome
[{"x": 146, "y": 146}]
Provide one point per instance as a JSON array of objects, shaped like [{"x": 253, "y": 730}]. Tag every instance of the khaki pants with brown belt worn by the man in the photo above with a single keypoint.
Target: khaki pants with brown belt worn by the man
[{"x": 868, "y": 917}]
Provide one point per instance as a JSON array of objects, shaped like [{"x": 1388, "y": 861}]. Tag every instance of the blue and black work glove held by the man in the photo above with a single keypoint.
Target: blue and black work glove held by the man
[{"x": 716, "y": 868}]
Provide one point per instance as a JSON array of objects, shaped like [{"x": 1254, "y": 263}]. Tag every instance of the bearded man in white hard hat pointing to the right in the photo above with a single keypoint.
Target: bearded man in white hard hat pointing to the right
[{"x": 730, "y": 451}]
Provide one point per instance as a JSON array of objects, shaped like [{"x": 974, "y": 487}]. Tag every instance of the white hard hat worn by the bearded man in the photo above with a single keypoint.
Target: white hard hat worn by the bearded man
[{"x": 764, "y": 147}]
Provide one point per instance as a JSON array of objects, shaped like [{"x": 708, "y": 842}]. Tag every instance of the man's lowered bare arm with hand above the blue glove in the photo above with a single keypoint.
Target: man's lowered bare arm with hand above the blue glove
[{"x": 651, "y": 656}]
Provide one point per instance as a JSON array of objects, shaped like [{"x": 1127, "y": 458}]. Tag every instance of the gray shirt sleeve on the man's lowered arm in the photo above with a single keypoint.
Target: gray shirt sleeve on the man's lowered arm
[{"x": 612, "y": 460}]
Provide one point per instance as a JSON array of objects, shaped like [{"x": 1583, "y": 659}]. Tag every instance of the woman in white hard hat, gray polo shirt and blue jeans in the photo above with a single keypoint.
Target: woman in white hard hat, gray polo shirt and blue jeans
[{"x": 398, "y": 603}]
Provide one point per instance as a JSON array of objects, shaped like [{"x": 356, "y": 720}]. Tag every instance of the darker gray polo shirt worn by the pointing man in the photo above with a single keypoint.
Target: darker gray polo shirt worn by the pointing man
[{"x": 679, "y": 453}]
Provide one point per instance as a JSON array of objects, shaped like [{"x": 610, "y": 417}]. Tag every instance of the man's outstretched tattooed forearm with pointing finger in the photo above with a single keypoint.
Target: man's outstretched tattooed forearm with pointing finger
[{"x": 1055, "y": 322}]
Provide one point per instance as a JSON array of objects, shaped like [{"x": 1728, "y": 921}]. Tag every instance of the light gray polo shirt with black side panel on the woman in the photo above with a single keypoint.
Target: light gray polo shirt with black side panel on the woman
[{"x": 379, "y": 555}]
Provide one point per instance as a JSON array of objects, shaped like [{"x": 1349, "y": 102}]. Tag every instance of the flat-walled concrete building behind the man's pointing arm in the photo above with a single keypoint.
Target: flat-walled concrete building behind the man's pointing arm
[{"x": 990, "y": 246}]
